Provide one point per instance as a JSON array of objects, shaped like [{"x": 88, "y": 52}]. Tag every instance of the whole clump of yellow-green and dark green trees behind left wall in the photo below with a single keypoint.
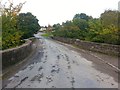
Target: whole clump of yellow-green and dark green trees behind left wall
[{"x": 17, "y": 26}]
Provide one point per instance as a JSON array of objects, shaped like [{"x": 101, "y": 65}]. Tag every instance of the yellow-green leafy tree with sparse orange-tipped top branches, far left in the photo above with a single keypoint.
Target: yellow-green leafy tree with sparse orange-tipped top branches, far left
[{"x": 11, "y": 36}]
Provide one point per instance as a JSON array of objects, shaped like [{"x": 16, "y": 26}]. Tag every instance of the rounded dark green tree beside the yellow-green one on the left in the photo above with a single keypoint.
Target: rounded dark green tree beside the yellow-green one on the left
[{"x": 28, "y": 24}]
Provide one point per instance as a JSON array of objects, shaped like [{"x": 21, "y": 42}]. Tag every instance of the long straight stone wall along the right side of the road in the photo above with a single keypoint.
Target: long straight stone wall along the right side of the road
[{"x": 93, "y": 46}]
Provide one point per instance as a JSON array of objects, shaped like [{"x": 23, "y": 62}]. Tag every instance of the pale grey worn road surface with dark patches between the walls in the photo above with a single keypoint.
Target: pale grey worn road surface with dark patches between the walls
[{"x": 57, "y": 66}]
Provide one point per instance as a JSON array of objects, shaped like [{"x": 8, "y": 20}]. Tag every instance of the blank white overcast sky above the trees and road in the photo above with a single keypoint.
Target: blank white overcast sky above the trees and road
[{"x": 58, "y": 11}]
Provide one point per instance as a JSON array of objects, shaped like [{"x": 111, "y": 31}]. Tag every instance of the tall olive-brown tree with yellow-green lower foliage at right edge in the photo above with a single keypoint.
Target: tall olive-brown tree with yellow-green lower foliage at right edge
[{"x": 110, "y": 23}]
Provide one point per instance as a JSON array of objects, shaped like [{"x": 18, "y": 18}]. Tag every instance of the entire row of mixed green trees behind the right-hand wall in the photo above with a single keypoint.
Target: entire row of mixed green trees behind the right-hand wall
[{"x": 102, "y": 30}]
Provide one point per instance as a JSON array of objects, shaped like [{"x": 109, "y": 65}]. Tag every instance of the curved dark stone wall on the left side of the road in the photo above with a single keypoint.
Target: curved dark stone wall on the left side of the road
[{"x": 17, "y": 54}]
